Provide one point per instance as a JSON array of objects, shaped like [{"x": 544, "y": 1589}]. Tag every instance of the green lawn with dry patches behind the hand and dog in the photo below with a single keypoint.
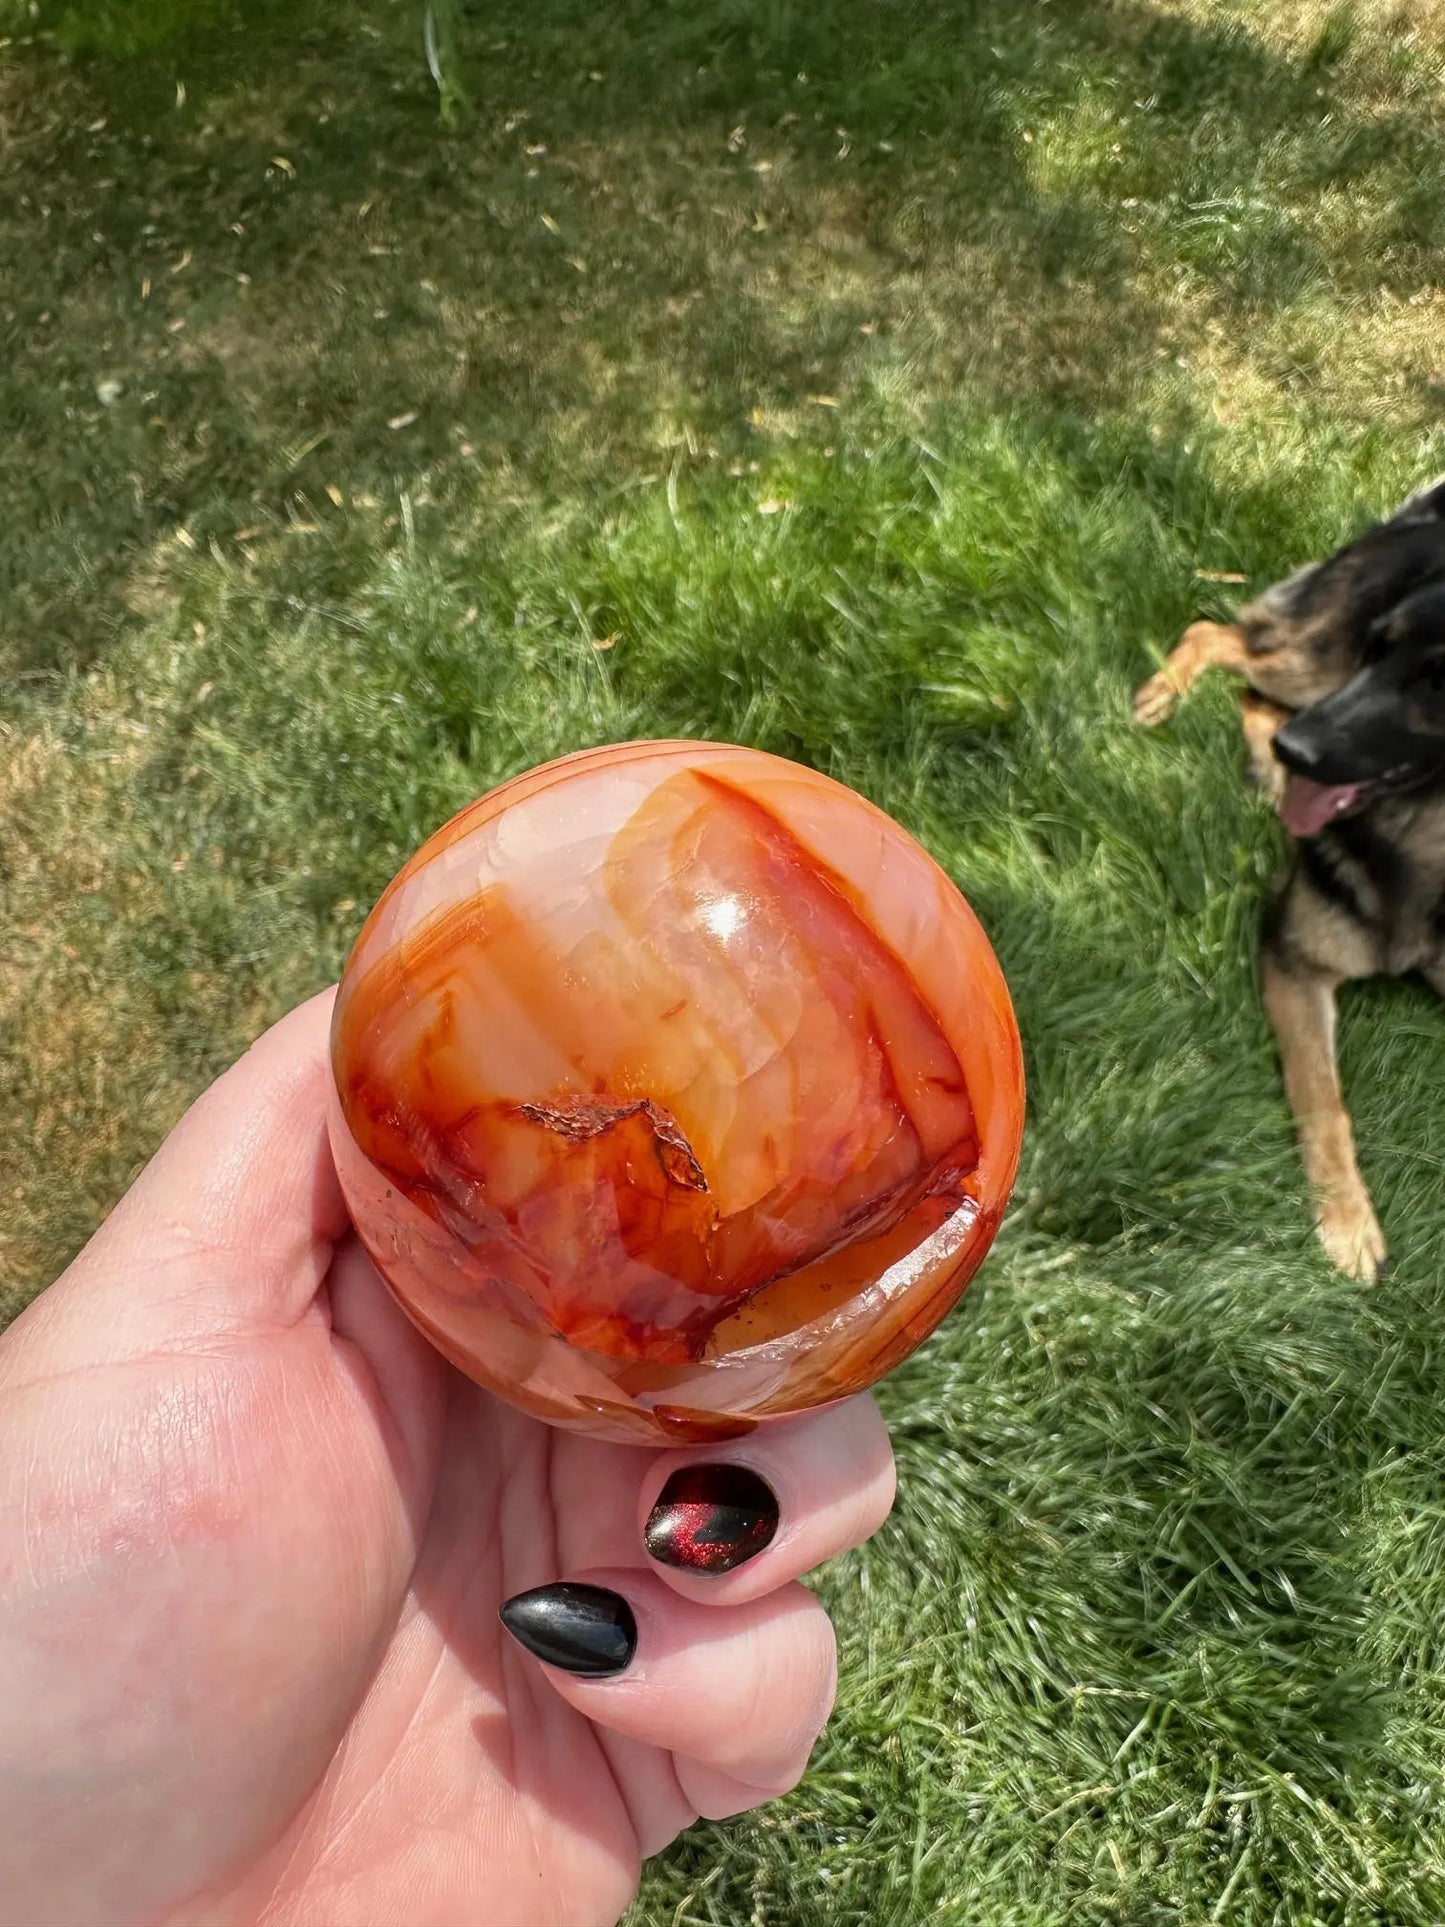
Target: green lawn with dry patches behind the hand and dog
[{"x": 883, "y": 384}]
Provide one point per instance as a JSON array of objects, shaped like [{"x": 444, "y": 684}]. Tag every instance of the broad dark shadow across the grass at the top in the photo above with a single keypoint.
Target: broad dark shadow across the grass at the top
[{"x": 248, "y": 269}]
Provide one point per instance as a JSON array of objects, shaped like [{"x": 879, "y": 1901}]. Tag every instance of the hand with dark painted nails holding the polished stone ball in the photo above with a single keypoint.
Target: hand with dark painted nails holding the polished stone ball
[{"x": 255, "y": 1537}]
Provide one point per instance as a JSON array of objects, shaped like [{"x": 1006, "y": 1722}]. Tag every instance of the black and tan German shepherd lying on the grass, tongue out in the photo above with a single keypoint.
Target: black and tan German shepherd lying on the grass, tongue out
[{"x": 1346, "y": 731}]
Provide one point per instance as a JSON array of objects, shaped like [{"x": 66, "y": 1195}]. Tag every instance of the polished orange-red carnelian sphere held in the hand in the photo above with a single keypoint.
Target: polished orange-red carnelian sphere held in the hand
[{"x": 675, "y": 1090}]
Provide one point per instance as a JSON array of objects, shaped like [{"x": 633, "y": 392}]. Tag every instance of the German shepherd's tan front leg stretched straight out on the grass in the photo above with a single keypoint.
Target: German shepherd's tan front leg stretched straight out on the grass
[{"x": 1301, "y": 1007}]
